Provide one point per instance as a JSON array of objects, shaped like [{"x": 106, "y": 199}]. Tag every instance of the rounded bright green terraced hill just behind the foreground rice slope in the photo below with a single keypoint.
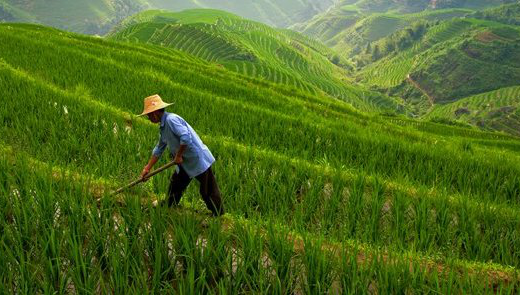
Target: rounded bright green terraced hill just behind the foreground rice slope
[{"x": 253, "y": 49}]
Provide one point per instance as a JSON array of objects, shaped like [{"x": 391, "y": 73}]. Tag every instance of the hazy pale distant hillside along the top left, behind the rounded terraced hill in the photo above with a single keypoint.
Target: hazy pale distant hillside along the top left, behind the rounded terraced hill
[{"x": 99, "y": 16}]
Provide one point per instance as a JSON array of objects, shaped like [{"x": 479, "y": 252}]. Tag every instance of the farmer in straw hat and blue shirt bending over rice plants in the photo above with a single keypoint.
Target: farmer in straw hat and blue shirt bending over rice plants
[{"x": 192, "y": 157}]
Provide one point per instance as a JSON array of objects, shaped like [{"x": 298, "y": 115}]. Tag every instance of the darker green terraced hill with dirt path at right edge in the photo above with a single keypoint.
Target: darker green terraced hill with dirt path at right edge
[{"x": 462, "y": 69}]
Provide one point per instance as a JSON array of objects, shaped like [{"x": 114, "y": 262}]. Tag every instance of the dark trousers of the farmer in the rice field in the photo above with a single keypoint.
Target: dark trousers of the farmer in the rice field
[{"x": 208, "y": 189}]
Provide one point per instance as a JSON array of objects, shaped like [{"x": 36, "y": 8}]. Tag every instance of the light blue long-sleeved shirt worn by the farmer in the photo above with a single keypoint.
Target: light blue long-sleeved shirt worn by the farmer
[{"x": 175, "y": 131}]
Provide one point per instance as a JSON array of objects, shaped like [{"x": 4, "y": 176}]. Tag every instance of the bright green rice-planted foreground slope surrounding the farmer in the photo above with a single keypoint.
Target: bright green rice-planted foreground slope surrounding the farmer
[{"x": 315, "y": 166}]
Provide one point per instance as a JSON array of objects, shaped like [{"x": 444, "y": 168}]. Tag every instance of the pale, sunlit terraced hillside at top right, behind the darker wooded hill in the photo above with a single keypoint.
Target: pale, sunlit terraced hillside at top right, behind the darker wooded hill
[{"x": 351, "y": 24}]
